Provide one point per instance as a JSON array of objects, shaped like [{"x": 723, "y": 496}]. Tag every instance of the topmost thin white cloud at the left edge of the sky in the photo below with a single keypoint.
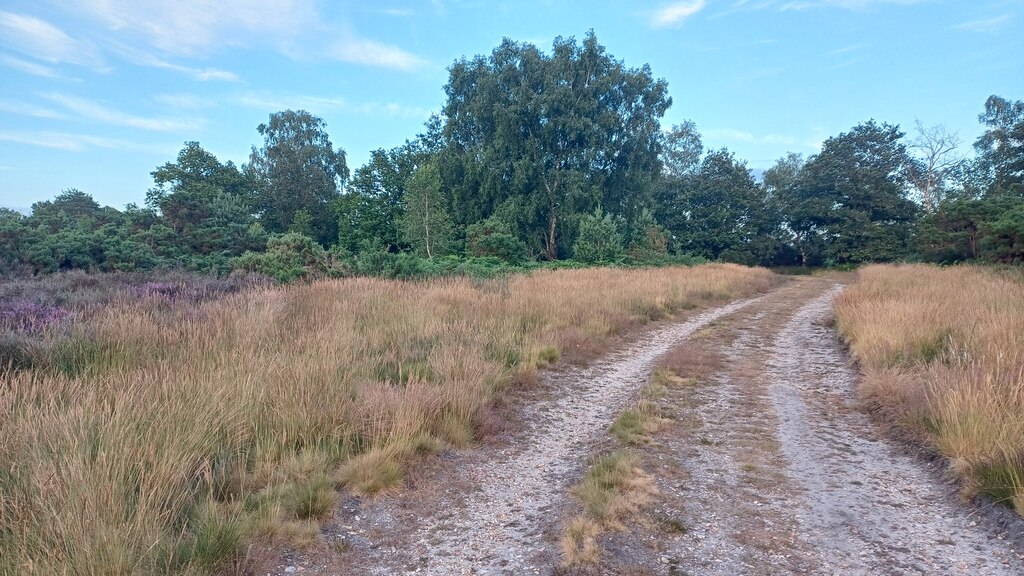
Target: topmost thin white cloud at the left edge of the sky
[{"x": 42, "y": 40}]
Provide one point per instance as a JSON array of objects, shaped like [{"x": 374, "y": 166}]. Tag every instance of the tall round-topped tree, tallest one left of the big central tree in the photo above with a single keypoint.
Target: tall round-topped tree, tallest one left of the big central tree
[{"x": 298, "y": 176}]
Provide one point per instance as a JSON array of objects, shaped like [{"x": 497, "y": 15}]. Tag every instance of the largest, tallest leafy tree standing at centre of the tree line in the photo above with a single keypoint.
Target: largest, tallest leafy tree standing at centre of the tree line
[{"x": 550, "y": 138}]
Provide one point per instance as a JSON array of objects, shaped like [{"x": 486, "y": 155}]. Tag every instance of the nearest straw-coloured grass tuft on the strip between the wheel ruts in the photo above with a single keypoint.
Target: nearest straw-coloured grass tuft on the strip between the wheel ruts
[{"x": 613, "y": 491}]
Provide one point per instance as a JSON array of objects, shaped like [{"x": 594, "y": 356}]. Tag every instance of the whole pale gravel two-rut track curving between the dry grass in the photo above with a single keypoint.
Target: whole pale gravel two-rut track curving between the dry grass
[{"x": 767, "y": 470}]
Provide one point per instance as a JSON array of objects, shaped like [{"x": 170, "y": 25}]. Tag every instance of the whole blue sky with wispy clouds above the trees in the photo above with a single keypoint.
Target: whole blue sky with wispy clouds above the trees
[{"x": 96, "y": 95}]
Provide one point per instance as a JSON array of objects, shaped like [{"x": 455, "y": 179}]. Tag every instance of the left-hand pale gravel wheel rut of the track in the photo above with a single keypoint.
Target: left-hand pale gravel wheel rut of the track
[{"x": 495, "y": 511}]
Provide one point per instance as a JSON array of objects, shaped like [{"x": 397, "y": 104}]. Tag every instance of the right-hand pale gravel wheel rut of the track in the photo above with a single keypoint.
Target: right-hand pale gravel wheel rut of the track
[{"x": 869, "y": 508}]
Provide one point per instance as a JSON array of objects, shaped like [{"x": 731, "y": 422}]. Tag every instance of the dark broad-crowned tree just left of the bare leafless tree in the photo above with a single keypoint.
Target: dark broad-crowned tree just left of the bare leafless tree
[{"x": 850, "y": 203}]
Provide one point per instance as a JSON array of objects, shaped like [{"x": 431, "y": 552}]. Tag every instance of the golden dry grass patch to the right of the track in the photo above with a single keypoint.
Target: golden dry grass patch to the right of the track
[{"x": 943, "y": 353}]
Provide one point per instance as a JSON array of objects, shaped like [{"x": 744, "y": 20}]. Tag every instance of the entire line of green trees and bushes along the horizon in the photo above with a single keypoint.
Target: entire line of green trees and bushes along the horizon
[{"x": 547, "y": 157}]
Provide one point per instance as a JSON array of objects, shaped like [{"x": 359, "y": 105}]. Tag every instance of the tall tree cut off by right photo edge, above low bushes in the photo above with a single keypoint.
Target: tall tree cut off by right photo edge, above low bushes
[{"x": 1001, "y": 149}]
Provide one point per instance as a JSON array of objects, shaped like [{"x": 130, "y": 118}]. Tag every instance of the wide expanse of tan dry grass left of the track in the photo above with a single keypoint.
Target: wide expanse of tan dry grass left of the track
[{"x": 156, "y": 420}]
